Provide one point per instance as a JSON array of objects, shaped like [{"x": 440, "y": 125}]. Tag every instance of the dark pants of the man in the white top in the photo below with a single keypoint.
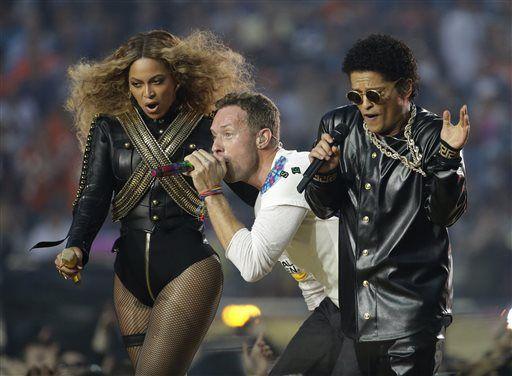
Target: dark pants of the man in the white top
[{"x": 315, "y": 347}]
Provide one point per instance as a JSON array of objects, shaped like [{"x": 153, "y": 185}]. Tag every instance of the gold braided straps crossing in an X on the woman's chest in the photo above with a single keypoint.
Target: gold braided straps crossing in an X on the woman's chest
[{"x": 155, "y": 155}]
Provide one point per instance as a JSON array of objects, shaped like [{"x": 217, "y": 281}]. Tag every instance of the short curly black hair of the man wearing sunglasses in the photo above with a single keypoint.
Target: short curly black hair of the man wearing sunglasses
[{"x": 383, "y": 54}]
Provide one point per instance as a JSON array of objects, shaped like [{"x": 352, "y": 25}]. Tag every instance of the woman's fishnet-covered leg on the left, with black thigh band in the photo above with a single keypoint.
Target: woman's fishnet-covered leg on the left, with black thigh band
[{"x": 133, "y": 316}]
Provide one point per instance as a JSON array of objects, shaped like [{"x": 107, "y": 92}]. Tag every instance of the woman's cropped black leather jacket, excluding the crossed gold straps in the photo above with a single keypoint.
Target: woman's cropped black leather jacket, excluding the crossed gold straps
[{"x": 112, "y": 160}]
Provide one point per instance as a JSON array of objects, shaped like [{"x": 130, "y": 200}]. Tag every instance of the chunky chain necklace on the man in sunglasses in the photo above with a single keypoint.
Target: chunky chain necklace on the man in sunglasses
[{"x": 415, "y": 163}]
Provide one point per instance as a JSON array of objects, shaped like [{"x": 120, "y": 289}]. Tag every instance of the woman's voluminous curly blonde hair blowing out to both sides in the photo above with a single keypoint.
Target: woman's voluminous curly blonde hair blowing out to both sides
[{"x": 201, "y": 64}]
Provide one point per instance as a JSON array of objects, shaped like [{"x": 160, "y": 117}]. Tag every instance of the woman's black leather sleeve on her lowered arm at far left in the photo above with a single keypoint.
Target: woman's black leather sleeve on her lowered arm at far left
[{"x": 95, "y": 190}]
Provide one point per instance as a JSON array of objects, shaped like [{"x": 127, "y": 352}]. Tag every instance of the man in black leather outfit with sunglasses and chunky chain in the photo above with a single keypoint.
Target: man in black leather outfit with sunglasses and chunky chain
[{"x": 396, "y": 181}]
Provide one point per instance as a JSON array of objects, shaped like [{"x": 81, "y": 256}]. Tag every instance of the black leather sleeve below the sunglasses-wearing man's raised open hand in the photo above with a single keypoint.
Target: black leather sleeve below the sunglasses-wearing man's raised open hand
[{"x": 446, "y": 186}]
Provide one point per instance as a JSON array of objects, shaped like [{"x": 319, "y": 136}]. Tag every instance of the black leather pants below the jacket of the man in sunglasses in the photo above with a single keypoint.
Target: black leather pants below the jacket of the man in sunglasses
[{"x": 419, "y": 354}]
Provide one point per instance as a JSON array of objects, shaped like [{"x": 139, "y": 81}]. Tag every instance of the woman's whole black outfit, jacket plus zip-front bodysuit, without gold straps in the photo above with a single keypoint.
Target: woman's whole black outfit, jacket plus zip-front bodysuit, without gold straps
[{"x": 159, "y": 239}]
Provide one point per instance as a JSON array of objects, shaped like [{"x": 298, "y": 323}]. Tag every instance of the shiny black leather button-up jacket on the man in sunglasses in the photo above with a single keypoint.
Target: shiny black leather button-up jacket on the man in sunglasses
[{"x": 395, "y": 256}]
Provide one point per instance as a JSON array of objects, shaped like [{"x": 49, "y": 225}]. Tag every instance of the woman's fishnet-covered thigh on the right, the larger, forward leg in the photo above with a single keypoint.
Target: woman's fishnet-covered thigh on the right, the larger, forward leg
[{"x": 180, "y": 318}]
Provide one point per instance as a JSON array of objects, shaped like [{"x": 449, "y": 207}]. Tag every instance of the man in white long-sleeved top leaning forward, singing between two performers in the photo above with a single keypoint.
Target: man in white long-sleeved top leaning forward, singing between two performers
[{"x": 246, "y": 148}]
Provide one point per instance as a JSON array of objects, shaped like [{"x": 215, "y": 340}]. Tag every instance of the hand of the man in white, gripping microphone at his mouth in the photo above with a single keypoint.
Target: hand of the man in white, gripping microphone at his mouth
[{"x": 208, "y": 171}]
